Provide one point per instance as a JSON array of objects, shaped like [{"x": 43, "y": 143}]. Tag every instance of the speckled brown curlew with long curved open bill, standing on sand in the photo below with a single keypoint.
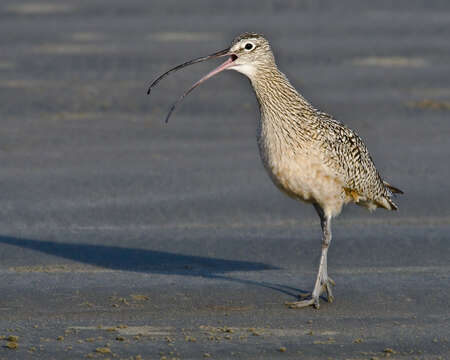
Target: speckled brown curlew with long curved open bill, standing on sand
[{"x": 308, "y": 154}]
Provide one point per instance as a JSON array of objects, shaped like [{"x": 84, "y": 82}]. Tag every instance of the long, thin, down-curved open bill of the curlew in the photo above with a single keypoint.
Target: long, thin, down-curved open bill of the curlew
[{"x": 227, "y": 64}]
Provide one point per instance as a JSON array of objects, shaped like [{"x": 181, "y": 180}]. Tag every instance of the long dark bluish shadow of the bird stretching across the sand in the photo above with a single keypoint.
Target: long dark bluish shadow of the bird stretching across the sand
[{"x": 151, "y": 261}]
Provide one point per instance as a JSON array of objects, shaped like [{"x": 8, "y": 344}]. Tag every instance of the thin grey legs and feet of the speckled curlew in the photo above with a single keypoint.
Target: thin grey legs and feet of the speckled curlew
[{"x": 323, "y": 282}]
